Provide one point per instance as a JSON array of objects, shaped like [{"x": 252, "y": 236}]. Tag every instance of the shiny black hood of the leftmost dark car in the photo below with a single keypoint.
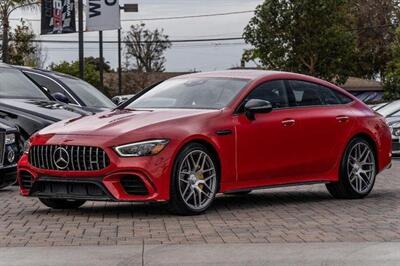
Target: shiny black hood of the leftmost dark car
[{"x": 46, "y": 109}]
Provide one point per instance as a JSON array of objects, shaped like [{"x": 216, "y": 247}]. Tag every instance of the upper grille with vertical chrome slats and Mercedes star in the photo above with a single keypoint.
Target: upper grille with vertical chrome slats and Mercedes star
[{"x": 68, "y": 158}]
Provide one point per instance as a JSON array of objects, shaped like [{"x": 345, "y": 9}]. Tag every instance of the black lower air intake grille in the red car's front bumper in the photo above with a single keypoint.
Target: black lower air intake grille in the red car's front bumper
[{"x": 70, "y": 189}]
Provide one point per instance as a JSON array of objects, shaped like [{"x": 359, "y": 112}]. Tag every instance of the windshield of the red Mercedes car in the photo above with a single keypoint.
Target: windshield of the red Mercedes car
[{"x": 191, "y": 93}]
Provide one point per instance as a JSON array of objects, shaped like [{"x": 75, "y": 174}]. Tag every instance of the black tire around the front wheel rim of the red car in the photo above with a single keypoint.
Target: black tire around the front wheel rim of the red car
[{"x": 176, "y": 204}]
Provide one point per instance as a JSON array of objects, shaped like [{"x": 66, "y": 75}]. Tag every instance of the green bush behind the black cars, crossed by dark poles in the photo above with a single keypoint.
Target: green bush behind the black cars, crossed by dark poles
[{"x": 91, "y": 72}]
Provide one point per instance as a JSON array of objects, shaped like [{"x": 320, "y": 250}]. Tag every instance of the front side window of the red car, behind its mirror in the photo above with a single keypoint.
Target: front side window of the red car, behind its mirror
[{"x": 272, "y": 91}]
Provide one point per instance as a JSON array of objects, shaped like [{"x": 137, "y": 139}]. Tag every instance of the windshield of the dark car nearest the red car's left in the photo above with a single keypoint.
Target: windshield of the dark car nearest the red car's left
[{"x": 87, "y": 93}]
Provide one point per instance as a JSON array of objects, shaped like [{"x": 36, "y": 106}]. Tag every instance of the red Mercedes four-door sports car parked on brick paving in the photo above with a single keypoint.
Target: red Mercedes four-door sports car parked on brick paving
[{"x": 186, "y": 139}]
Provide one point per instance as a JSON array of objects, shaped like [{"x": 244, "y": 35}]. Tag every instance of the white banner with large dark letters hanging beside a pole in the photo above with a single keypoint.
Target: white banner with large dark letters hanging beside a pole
[{"x": 102, "y": 15}]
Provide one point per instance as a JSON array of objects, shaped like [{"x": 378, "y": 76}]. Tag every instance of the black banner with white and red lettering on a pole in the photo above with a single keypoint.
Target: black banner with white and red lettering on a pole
[{"x": 58, "y": 16}]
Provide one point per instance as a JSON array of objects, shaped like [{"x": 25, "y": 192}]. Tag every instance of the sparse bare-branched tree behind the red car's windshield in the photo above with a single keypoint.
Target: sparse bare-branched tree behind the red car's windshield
[{"x": 147, "y": 47}]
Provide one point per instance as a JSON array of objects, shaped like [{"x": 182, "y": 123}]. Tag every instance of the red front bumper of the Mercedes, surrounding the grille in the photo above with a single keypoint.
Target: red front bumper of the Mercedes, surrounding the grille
[{"x": 138, "y": 179}]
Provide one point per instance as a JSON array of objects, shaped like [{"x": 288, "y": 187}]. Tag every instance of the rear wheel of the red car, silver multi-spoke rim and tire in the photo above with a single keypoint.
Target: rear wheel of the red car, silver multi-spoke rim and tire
[{"x": 357, "y": 171}]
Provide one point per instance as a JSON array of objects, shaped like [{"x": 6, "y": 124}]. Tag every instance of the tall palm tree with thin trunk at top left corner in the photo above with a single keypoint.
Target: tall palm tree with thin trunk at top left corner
[{"x": 6, "y": 8}]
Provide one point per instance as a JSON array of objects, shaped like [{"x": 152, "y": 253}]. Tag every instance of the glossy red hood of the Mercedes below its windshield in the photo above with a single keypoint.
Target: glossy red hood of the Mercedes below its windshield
[{"x": 118, "y": 122}]
